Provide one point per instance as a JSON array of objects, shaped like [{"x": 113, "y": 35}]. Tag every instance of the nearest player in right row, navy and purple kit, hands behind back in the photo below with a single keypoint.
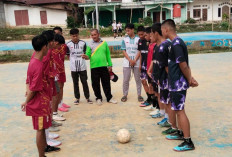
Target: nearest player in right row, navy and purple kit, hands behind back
[{"x": 180, "y": 79}]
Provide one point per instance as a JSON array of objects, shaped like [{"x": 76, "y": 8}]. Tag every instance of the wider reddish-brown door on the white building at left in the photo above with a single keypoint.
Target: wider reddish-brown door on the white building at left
[{"x": 21, "y": 17}]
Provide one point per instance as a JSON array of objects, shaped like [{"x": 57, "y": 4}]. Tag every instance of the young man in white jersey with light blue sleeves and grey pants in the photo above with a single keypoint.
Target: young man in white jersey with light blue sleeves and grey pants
[{"x": 131, "y": 62}]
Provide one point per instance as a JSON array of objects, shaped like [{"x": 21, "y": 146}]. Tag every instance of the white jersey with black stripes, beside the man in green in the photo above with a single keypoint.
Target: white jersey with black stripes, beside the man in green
[{"x": 75, "y": 50}]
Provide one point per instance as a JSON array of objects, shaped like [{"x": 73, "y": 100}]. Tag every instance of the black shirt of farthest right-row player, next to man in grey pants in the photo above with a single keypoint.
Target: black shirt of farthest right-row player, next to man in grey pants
[{"x": 143, "y": 48}]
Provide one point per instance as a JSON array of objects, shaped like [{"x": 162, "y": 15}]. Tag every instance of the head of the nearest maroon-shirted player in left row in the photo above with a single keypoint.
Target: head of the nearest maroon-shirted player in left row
[{"x": 39, "y": 44}]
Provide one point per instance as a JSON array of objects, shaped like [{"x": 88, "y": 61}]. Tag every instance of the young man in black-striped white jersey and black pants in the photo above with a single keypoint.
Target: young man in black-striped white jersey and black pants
[{"x": 76, "y": 48}]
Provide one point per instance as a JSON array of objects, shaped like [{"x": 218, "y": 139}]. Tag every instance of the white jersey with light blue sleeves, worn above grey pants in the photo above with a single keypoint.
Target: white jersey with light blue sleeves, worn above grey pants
[{"x": 131, "y": 48}]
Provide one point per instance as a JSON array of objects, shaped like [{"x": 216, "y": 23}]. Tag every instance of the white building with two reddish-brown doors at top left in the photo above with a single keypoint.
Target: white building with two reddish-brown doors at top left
[{"x": 34, "y": 12}]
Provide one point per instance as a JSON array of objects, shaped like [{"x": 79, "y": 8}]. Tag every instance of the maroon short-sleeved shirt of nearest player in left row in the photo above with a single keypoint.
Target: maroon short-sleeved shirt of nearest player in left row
[{"x": 39, "y": 105}]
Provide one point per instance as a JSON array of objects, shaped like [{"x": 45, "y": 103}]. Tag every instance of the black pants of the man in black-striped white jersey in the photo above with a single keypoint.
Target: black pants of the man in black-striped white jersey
[{"x": 83, "y": 76}]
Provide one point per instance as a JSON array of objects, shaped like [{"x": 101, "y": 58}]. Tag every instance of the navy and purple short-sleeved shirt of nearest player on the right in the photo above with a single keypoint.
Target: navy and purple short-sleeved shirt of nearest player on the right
[{"x": 177, "y": 54}]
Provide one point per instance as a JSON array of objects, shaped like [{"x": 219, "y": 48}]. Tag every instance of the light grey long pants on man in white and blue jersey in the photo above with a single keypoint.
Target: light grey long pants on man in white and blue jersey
[{"x": 126, "y": 79}]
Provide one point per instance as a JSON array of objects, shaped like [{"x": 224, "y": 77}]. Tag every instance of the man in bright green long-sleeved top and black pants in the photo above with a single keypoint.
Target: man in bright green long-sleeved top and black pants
[{"x": 100, "y": 63}]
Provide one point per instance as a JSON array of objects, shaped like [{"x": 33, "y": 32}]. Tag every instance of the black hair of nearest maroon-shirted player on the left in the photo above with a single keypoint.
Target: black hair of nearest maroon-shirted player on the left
[{"x": 38, "y": 42}]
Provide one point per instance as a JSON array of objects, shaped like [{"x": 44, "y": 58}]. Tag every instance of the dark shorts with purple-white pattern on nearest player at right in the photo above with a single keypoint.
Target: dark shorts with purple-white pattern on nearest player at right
[{"x": 177, "y": 100}]
